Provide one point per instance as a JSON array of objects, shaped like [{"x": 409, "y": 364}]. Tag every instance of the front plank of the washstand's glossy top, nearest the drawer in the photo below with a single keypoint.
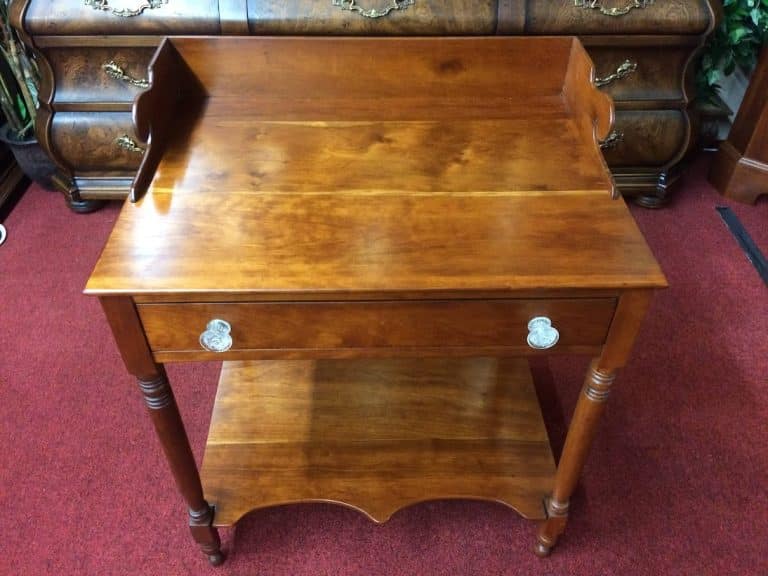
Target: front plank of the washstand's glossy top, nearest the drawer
[{"x": 327, "y": 244}]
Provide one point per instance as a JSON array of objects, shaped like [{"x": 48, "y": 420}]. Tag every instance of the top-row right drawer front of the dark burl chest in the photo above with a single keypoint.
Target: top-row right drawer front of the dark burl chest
[{"x": 577, "y": 17}]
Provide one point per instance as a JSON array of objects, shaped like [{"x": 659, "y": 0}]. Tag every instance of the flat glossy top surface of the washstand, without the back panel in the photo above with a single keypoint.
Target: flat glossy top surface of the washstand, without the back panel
[{"x": 284, "y": 198}]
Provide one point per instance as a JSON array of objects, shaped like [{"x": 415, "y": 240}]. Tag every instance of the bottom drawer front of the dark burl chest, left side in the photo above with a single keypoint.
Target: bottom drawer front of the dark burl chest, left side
[{"x": 88, "y": 141}]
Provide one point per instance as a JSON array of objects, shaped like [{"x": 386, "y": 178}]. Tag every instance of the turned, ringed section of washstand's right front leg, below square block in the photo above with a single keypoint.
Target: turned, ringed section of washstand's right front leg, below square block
[{"x": 581, "y": 432}]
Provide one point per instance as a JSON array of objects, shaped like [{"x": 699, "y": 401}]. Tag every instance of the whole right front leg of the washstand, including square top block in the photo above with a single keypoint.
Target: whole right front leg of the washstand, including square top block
[{"x": 589, "y": 408}]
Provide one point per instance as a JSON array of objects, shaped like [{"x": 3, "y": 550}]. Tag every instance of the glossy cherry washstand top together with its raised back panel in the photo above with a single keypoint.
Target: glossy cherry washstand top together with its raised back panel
[{"x": 275, "y": 189}]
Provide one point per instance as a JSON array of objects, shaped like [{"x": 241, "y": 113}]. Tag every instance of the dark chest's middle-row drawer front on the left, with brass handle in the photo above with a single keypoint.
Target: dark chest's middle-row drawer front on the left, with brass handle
[{"x": 99, "y": 74}]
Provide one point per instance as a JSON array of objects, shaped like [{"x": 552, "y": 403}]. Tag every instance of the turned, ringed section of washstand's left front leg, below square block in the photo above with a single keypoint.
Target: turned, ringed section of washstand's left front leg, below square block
[{"x": 165, "y": 416}]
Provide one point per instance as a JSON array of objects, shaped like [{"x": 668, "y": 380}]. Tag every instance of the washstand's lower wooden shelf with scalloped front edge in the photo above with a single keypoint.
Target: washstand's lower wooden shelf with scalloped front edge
[{"x": 376, "y": 435}]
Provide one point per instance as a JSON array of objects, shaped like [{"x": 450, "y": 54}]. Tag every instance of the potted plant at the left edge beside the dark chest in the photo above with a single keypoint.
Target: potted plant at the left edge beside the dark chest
[{"x": 19, "y": 81}]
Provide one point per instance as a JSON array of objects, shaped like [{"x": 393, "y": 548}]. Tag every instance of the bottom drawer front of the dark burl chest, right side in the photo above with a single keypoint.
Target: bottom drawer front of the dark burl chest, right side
[{"x": 650, "y": 138}]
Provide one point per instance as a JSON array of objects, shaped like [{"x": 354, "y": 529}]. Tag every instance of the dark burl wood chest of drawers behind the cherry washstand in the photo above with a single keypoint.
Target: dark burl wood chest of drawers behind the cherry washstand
[{"x": 97, "y": 54}]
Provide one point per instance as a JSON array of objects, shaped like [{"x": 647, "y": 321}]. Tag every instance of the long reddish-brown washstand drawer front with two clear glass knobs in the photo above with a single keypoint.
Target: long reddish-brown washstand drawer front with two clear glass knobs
[{"x": 356, "y": 325}]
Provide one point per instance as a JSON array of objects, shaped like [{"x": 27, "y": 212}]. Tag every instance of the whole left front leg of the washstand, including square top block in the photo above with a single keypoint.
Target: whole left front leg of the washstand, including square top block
[{"x": 161, "y": 405}]
